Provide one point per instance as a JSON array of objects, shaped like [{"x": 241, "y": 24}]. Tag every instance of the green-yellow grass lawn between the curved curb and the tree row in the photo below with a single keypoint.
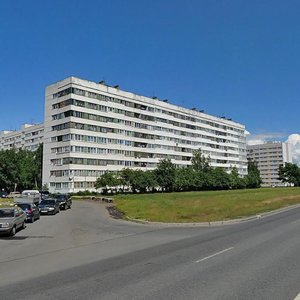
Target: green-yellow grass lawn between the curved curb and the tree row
[{"x": 205, "y": 206}]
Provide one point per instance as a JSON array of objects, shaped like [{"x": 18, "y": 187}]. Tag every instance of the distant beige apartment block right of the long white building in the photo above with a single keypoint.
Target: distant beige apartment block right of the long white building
[{"x": 269, "y": 156}]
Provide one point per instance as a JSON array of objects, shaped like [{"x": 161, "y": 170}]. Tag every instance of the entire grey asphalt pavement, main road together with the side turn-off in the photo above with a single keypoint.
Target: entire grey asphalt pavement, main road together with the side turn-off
[{"x": 83, "y": 254}]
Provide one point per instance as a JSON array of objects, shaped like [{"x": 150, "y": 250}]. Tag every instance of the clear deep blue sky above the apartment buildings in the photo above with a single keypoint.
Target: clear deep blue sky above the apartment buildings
[{"x": 234, "y": 58}]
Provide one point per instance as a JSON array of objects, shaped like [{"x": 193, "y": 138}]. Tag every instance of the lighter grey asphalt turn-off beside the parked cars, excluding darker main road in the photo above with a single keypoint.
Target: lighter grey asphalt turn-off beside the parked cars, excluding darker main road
[{"x": 80, "y": 235}]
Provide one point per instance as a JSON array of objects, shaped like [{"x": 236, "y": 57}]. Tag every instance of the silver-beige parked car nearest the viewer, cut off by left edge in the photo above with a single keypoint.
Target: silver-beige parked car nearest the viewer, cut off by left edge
[{"x": 11, "y": 219}]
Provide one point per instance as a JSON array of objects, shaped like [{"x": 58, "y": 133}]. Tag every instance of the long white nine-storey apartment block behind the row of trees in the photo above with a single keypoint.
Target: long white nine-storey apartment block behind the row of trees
[{"x": 92, "y": 127}]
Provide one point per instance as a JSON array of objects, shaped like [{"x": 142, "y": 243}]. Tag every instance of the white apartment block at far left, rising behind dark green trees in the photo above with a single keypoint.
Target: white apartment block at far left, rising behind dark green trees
[{"x": 29, "y": 137}]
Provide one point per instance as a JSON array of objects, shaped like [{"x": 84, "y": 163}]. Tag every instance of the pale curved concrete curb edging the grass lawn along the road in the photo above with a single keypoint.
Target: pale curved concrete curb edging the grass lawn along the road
[{"x": 219, "y": 223}]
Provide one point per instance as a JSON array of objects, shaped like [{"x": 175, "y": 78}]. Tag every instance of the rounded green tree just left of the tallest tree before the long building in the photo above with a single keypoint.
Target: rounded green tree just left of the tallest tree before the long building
[{"x": 166, "y": 174}]
